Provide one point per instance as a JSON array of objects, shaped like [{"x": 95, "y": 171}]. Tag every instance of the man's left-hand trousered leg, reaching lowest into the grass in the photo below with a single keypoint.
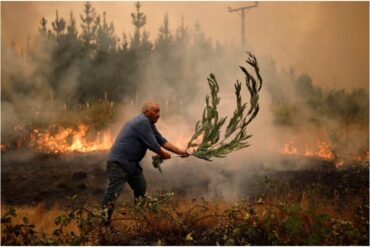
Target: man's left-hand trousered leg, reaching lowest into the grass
[{"x": 117, "y": 177}]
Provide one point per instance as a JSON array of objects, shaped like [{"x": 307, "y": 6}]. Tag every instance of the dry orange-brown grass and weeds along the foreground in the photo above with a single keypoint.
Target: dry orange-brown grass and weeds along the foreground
[{"x": 333, "y": 211}]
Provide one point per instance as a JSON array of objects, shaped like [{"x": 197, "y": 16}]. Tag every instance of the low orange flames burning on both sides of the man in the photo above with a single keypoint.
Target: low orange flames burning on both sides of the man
[{"x": 84, "y": 138}]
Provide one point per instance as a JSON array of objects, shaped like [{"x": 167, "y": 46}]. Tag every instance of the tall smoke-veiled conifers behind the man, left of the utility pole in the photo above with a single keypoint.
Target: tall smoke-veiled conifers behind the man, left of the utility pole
[{"x": 103, "y": 65}]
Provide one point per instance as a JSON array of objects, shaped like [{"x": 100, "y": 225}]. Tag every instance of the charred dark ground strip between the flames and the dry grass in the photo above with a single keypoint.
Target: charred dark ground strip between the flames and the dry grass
[{"x": 30, "y": 178}]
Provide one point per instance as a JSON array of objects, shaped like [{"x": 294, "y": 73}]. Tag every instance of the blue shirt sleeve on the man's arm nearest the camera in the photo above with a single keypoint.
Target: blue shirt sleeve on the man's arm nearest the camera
[{"x": 147, "y": 135}]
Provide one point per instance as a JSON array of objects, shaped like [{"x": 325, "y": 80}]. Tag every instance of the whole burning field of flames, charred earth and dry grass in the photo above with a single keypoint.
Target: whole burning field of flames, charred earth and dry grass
[{"x": 321, "y": 204}]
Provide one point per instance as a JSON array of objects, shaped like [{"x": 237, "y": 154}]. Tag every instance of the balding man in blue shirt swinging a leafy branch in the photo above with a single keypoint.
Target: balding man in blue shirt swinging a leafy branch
[{"x": 129, "y": 148}]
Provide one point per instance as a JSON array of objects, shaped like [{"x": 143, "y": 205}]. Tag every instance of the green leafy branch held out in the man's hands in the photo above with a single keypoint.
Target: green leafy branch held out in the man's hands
[{"x": 208, "y": 129}]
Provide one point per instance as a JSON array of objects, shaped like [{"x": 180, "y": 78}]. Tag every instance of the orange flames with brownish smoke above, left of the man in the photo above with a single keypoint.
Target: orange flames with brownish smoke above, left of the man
[{"x": 77, "y": 129}]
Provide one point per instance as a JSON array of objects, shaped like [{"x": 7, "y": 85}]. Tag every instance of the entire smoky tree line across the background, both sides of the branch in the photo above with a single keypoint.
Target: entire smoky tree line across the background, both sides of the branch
[{"x": 92, "y": 63}]
